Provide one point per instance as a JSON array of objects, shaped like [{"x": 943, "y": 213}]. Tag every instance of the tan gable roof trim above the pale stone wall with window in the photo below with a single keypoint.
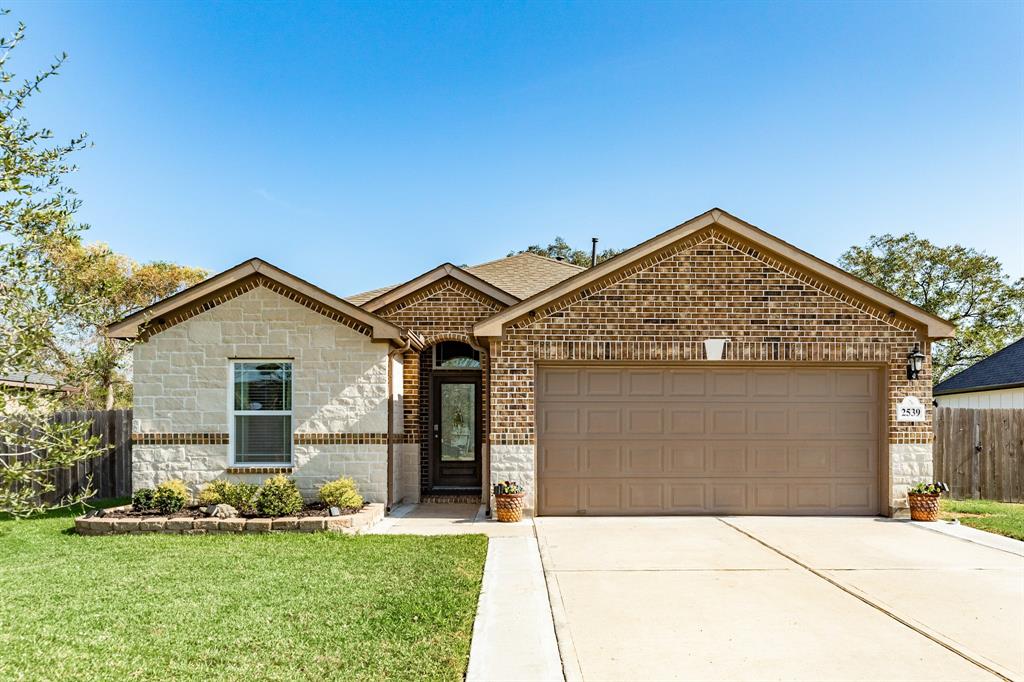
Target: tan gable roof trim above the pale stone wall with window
[{"x": 205, "y": 292}]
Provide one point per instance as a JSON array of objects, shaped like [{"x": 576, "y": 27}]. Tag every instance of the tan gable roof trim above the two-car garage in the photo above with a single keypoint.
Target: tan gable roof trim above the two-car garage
[{"x": 936, "y": 327}]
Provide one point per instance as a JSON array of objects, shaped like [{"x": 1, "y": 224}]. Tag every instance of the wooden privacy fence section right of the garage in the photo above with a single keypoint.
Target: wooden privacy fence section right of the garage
[{"x": 980, "y": 453}]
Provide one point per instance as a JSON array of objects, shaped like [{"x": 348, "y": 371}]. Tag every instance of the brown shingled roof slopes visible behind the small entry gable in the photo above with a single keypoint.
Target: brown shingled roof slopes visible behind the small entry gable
[{"x": 522, "y": 276}]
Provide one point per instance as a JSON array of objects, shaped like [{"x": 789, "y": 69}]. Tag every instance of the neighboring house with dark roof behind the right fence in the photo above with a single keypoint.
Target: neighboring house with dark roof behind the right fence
[{"x": 995, "y": 383}]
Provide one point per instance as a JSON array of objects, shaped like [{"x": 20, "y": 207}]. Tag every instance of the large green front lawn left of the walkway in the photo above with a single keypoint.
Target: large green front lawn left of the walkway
[{"x": 234, "y": 608}]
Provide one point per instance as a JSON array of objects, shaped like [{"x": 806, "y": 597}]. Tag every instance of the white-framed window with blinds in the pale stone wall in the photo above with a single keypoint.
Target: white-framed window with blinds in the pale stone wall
[{"x": 262, "y": 412}]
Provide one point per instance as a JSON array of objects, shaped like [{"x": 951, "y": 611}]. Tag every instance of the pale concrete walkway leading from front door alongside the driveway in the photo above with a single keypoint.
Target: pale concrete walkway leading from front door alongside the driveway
[{"x": 514, "y": 635}]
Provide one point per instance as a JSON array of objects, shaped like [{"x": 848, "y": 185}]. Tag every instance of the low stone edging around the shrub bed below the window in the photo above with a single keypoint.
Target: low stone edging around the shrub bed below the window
[{"x": 106, "y": 526}]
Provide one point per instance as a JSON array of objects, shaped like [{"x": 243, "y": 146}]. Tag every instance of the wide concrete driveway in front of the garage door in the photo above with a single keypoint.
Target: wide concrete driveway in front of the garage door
[{"x": 760, "y": 599}]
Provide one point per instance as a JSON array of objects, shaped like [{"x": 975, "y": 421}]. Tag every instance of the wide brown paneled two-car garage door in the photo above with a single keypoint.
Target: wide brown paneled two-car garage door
[{"x": 679, "y": 441}]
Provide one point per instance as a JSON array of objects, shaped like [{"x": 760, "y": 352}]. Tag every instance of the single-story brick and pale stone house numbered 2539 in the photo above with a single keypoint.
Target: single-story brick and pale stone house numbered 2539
[{"x": 593, "y": 388}]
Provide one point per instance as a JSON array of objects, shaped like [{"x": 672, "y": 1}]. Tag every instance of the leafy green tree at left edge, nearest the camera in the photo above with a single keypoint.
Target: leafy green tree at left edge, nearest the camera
[{"x": 36, "y": 209}]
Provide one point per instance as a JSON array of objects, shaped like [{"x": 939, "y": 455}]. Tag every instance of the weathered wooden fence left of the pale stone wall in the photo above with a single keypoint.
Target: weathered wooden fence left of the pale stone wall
[{"x": 111, "y": 473}]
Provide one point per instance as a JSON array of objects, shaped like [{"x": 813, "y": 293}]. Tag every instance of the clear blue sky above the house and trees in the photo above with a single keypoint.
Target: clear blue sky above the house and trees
[{"x": 360, "y": 145}]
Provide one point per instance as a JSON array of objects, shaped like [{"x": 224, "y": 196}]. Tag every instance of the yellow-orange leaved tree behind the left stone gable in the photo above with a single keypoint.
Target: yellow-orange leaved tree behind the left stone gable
[{"x": 118, "y": 286}]
